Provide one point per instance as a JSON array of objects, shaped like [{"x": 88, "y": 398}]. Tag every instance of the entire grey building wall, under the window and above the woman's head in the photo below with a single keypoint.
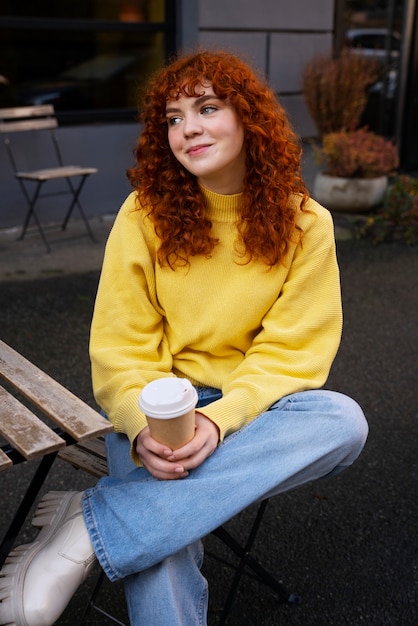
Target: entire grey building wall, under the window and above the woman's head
[{"x": 276, "y": 35}]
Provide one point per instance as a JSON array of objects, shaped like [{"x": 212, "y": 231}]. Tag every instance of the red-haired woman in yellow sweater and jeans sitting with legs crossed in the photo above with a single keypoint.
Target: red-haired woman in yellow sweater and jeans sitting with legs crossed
[{"x": 219, "y": 269}]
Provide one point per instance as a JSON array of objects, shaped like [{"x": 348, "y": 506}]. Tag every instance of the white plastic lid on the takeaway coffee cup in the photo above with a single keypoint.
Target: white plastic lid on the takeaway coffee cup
[{"x": 166, "y": 398}]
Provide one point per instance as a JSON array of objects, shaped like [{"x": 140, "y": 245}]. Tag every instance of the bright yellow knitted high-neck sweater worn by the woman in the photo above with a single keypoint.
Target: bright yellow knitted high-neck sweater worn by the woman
[{"x": 256, "y": 333}]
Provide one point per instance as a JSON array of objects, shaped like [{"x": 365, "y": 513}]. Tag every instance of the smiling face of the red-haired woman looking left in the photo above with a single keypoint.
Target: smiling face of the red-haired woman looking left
[{"x": 207, "y": 138}]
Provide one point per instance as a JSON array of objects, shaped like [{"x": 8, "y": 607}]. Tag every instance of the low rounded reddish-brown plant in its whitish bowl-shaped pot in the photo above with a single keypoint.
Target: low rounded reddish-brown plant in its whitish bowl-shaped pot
[{"x": 356, "y": 169}]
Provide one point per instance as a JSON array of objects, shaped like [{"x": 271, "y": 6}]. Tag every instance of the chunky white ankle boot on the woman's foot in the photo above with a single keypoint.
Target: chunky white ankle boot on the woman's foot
[{"x": 39, "y": 579}]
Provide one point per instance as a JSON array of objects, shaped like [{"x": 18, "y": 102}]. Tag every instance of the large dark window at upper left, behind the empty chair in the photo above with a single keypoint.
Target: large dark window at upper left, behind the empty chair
[{"x": 87, "y": 57}]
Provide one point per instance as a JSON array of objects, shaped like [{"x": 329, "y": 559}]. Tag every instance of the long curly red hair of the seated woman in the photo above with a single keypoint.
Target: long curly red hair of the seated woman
[{"x": 176, "y": 205}]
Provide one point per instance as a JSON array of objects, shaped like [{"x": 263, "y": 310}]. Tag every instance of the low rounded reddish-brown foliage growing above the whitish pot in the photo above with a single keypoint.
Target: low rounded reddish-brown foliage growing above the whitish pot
[{"x": 357, "y": 154}]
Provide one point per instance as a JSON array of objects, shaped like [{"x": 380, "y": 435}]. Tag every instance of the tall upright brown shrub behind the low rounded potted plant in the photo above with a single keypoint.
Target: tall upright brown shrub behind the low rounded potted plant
[{"x": 335, "y": 90}]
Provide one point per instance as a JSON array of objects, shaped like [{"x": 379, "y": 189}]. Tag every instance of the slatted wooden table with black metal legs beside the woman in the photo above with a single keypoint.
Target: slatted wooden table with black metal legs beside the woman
[{"x": 39, "y": 418}]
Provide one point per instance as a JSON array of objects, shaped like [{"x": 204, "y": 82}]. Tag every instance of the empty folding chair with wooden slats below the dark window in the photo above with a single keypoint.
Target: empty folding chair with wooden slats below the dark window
[{"x": 36, "y": 119}]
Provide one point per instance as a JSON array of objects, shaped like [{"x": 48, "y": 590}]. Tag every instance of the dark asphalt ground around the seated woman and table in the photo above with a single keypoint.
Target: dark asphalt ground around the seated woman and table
[{"x": 348, "y": 545}]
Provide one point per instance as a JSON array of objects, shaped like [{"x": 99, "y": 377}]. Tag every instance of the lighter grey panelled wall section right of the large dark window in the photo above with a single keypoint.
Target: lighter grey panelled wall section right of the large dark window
[{"x": 278, "y": 36}]
